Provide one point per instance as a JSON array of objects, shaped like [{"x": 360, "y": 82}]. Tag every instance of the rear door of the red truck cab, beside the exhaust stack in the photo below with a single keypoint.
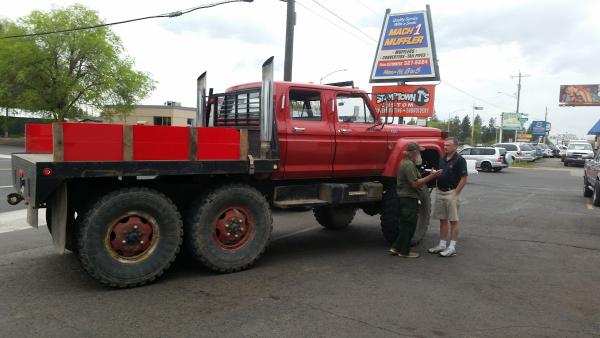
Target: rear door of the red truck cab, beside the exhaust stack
[{"x": 309, "y": 136}]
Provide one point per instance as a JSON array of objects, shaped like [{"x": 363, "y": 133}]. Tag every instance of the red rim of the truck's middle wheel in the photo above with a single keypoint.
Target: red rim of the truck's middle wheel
[{"x": 233, "y": 227}]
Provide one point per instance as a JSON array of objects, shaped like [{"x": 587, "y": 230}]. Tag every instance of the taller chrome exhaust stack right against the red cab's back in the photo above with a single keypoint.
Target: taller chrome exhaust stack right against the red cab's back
[{"x": 266, "y": 108}]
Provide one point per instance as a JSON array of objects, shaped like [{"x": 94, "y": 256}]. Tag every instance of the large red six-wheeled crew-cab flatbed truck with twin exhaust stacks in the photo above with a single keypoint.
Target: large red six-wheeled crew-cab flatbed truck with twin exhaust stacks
[{"x": 124, "y": 199}]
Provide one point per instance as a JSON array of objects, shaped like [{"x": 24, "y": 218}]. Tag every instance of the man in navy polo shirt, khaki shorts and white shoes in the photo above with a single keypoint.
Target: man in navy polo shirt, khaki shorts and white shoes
[{"x": 447, "y": 203}]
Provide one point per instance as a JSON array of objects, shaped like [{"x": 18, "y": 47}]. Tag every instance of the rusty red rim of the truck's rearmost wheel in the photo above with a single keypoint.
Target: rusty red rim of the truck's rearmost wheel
[{"x": 132, "y": 237}]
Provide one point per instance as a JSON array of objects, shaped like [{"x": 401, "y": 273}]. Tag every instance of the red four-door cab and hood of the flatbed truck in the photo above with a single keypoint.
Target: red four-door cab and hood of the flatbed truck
[{"x": 326, "y": 131}]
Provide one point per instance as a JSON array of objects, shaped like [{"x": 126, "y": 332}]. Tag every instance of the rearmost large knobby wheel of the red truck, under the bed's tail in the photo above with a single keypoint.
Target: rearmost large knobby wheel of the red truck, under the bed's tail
[{"x": 129, "y": 237}]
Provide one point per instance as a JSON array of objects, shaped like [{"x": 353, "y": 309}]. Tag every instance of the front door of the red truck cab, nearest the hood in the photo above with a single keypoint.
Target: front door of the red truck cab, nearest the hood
[{"x": 360, "y": 148}]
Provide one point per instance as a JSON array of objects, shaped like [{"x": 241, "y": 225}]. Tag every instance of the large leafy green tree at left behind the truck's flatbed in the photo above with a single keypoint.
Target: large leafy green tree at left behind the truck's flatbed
[{"x": 63, "y": 72}]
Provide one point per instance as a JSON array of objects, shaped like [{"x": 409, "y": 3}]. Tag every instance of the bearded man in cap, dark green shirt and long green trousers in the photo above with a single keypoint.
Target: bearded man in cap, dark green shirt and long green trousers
[{"x": 408, "y": 182}]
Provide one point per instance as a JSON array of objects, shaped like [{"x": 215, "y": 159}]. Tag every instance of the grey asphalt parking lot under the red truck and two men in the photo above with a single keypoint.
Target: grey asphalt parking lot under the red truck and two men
[{"x": 527, "y": 265}]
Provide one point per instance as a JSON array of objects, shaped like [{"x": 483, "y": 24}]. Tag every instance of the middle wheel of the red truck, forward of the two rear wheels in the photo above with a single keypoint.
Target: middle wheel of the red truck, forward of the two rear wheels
[{"x": 228, "y": 229}]
